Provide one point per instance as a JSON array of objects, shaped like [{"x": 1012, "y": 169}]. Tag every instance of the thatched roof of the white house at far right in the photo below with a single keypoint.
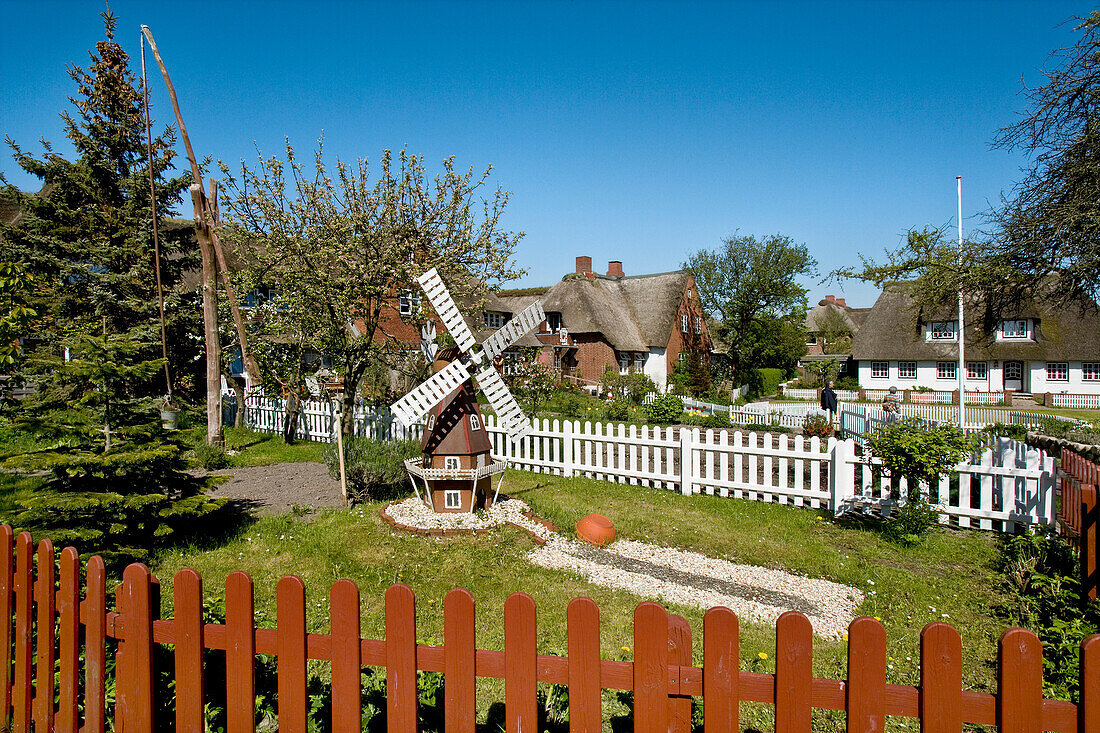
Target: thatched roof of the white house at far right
[{"x": 895, "y": 331}]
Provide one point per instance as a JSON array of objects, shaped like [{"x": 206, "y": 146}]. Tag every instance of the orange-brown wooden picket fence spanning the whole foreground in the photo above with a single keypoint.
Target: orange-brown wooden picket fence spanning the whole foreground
[{"x": 50, "y": 625}]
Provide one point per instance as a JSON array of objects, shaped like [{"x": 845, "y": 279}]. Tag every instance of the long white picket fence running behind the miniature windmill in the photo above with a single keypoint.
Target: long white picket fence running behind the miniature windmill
[{"x": 1007, "y": 485}]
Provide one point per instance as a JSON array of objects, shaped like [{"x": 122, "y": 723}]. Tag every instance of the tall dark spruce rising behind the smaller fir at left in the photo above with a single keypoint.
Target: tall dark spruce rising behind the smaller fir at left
[{"x": 87, "y": 238}]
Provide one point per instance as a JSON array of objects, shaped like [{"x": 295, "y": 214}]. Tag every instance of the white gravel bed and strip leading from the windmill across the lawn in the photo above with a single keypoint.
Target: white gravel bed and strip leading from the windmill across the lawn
[{"x": 663, "y": 574}]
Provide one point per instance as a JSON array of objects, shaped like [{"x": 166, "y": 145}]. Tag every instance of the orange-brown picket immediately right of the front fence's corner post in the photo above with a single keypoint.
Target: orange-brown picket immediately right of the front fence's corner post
[{"x": 189, "y": 628}]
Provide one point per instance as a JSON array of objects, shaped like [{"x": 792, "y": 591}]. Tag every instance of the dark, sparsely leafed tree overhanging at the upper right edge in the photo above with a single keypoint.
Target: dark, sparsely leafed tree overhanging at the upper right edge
[{"x": 1050, "y": 225}]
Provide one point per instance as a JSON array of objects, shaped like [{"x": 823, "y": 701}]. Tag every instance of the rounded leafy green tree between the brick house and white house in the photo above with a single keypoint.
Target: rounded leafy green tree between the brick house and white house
[{"x": 752, "y": 287}]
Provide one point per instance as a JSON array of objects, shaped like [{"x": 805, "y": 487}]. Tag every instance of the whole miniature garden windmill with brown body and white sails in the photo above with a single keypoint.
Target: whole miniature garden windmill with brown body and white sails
[{"x": 457, "y": 468}]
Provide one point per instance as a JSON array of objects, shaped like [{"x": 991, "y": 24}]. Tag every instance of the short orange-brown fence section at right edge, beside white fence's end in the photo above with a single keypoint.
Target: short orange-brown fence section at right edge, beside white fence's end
[{"x": 1080, "y": 512}]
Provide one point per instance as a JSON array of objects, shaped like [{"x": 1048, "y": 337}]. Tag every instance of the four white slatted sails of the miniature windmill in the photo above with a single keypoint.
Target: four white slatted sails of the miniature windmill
[{"x": 413, "y": 407}]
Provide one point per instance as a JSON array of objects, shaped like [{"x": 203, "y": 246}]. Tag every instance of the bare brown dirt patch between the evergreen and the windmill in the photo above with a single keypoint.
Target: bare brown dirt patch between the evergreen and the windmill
[{"x": 276, "y": 489}]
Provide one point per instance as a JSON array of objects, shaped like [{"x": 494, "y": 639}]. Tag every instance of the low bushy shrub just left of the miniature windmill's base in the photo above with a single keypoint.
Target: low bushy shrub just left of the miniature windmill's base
[{"x": 376, "y": 471}]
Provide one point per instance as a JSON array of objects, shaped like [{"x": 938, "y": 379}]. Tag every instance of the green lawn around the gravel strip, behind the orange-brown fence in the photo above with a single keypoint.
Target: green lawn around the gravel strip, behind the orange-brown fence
[{"x": 951, "y": 577}]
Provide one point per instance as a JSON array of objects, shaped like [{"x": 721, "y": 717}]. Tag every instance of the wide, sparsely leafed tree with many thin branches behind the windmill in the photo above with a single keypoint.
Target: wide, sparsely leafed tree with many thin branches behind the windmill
[{"x": 343, "y": 248}]
